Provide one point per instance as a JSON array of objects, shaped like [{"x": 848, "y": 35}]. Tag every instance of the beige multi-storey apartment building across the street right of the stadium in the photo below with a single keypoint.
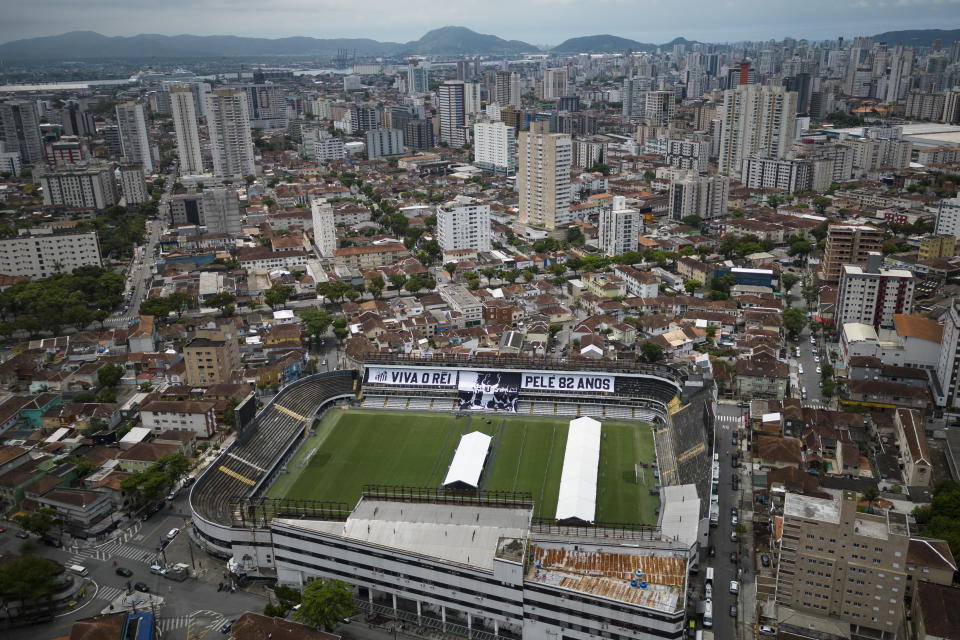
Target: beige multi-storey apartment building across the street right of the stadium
[{"x": 848, "y": 565}]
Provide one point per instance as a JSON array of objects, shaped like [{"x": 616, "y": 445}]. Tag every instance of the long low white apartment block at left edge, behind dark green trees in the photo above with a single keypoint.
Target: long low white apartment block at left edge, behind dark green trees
[{"x": 42, "y": 253}]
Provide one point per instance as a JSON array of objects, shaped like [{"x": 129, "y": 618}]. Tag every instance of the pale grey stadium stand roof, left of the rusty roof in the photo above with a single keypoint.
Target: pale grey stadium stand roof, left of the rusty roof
[{"x": 468, "y": 535}]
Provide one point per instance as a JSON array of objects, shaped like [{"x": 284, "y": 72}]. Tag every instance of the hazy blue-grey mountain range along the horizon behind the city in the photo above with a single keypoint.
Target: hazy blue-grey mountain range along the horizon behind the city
[{"x": 77, "y": 45}]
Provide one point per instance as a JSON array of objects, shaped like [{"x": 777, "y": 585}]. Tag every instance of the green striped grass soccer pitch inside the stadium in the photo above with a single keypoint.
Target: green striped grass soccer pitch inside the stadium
[{"x": 351, "y": 448}]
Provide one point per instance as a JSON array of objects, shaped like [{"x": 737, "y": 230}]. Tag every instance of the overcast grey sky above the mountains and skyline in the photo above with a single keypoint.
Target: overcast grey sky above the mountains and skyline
[{"x": 534, "y": 21}]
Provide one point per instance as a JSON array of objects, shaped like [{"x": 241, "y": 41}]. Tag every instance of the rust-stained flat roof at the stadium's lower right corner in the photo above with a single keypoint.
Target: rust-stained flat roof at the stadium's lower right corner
[{"x": 607, "y": 574}]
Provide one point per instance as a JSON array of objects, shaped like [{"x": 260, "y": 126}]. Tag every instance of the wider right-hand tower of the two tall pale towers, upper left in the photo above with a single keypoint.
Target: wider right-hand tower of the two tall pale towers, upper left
[{"x": 228, "y": 122}]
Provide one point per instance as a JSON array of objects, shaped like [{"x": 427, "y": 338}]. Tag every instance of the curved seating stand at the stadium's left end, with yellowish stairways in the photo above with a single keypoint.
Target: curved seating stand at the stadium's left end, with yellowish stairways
[{"x": 244, "y": 465}]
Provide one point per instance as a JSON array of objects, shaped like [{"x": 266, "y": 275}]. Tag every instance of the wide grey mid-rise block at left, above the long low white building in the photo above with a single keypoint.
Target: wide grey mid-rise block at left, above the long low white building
[{"x": 90, "y": 186}]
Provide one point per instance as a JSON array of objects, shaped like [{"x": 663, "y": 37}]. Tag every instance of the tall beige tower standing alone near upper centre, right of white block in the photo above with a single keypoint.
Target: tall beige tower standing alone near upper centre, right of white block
[{"x": 544, "y": 177}]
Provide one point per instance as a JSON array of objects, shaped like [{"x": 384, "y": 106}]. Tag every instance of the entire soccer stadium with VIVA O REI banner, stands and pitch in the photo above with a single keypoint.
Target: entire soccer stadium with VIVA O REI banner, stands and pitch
[{"x": 545, "y": 479}]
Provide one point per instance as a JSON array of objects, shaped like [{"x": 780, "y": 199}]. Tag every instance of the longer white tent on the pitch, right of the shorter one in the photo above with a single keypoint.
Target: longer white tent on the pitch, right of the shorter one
[{"x": 578, "y": 483}]
